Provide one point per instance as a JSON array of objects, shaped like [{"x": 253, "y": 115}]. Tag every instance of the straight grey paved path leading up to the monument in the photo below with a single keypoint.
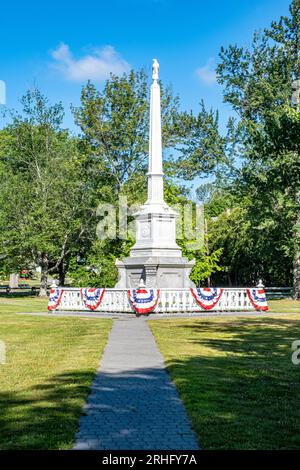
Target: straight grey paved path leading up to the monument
[{"x": 133, "y": 404}]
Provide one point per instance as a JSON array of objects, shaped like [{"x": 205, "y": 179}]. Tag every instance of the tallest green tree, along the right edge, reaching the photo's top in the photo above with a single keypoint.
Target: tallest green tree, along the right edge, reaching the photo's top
[{"x": 258, "y": 83}]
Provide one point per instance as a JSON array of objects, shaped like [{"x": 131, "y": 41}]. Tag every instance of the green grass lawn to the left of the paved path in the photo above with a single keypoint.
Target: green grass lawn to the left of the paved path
[{"x": 50, "y": 364}]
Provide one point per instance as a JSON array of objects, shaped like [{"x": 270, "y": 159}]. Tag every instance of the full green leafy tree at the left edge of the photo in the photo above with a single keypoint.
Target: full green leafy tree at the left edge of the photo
[{"x": 45, "y": 204}]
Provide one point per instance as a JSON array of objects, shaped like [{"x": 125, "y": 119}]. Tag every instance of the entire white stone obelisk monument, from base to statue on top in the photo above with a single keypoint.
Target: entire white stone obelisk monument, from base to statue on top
[{"x": 155, "y": 258}]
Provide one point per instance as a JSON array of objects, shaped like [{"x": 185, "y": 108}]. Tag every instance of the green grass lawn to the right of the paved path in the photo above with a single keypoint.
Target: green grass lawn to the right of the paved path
[{"x": 236, "y": 378}]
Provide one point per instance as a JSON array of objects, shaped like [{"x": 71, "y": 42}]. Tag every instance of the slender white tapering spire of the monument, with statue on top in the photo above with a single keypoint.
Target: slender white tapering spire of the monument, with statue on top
[{"x": 155, "y": 170}]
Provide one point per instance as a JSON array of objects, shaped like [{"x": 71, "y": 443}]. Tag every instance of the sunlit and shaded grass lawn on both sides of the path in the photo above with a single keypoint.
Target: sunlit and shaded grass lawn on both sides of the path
[{"x": 235, "y": 375}]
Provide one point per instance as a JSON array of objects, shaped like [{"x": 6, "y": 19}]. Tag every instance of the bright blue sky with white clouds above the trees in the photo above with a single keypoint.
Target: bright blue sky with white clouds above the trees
[{"x": 58, "y": 45}]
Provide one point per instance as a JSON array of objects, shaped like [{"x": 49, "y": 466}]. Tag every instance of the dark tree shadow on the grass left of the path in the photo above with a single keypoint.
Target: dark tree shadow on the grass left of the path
[{"x": 45, "y": 416}]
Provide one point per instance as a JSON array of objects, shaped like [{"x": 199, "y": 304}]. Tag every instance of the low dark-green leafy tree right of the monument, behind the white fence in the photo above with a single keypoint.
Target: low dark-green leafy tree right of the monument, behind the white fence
[{"x": 252, "y": 249}]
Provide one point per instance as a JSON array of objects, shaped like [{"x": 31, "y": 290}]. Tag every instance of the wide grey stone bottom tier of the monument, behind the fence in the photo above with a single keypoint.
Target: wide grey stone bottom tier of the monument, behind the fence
[{"x": 155, "y": 272}]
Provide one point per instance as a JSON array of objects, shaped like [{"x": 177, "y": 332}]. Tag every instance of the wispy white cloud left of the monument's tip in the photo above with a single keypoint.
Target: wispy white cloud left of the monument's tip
[{"x": 95, "y": 66}]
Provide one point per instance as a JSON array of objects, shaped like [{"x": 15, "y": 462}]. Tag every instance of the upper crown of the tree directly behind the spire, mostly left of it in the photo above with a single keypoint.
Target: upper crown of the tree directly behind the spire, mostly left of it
[{"x": 115, "y": 125}]
